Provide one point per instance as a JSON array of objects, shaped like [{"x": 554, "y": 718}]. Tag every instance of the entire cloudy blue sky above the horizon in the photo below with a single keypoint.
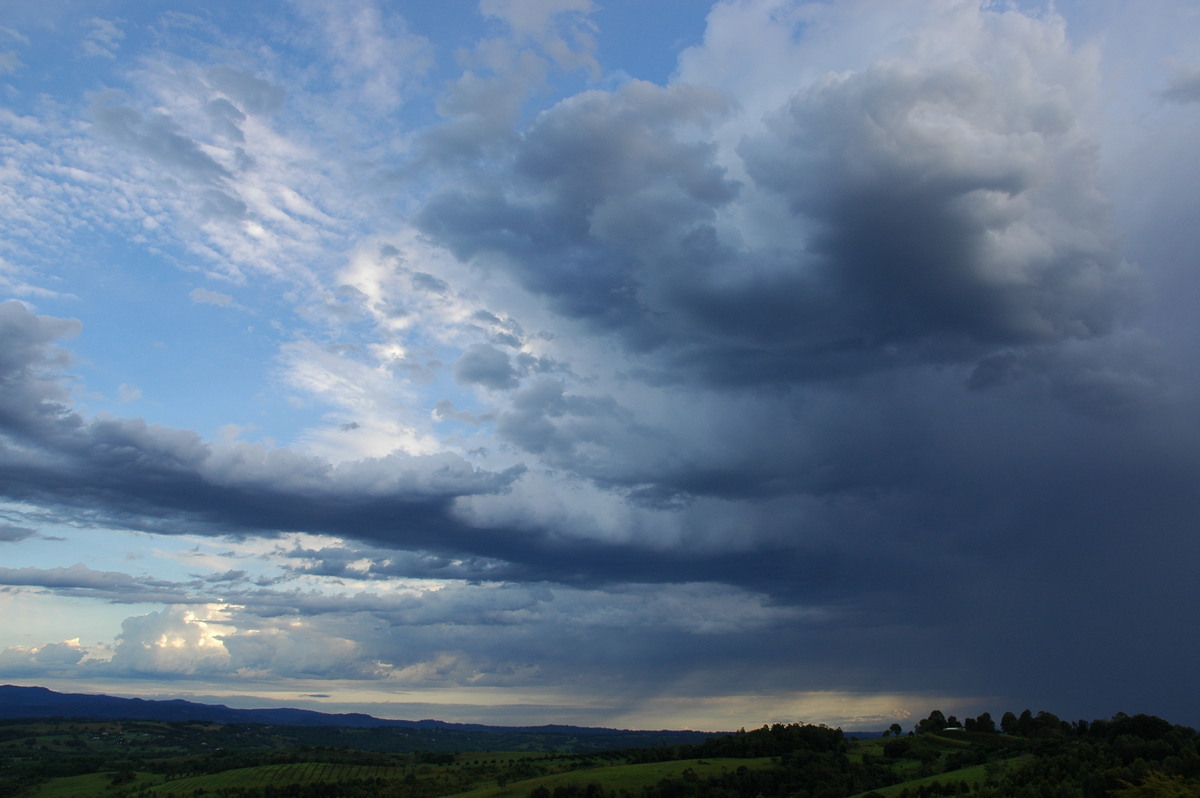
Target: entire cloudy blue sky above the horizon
[{"x": 673, "y": 365}]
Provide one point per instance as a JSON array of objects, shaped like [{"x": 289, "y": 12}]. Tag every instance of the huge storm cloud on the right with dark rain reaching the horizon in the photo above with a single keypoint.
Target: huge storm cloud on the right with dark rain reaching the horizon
[{"x": 957, "y": 424}]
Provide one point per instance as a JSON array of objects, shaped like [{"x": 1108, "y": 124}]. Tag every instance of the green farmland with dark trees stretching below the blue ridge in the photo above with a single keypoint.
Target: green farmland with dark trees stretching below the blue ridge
[{"x": 185, "y": 760}]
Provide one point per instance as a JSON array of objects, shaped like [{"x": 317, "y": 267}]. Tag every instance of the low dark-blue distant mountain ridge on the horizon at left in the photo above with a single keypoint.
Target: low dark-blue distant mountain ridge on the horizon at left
[{"x": 20, "y": 703}]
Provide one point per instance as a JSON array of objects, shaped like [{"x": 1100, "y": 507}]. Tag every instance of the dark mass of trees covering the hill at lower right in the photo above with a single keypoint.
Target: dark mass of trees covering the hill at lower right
[{"x": 1028, "y": 757}]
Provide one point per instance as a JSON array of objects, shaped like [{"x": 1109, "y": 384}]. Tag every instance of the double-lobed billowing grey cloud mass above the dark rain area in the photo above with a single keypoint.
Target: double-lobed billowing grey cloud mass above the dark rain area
[{"x": 941, "y": 214}]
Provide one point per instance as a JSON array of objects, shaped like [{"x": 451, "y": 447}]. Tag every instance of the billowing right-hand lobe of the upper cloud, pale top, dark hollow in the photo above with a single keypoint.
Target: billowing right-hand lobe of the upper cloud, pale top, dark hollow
[{"x": 927, "y": 200}]
